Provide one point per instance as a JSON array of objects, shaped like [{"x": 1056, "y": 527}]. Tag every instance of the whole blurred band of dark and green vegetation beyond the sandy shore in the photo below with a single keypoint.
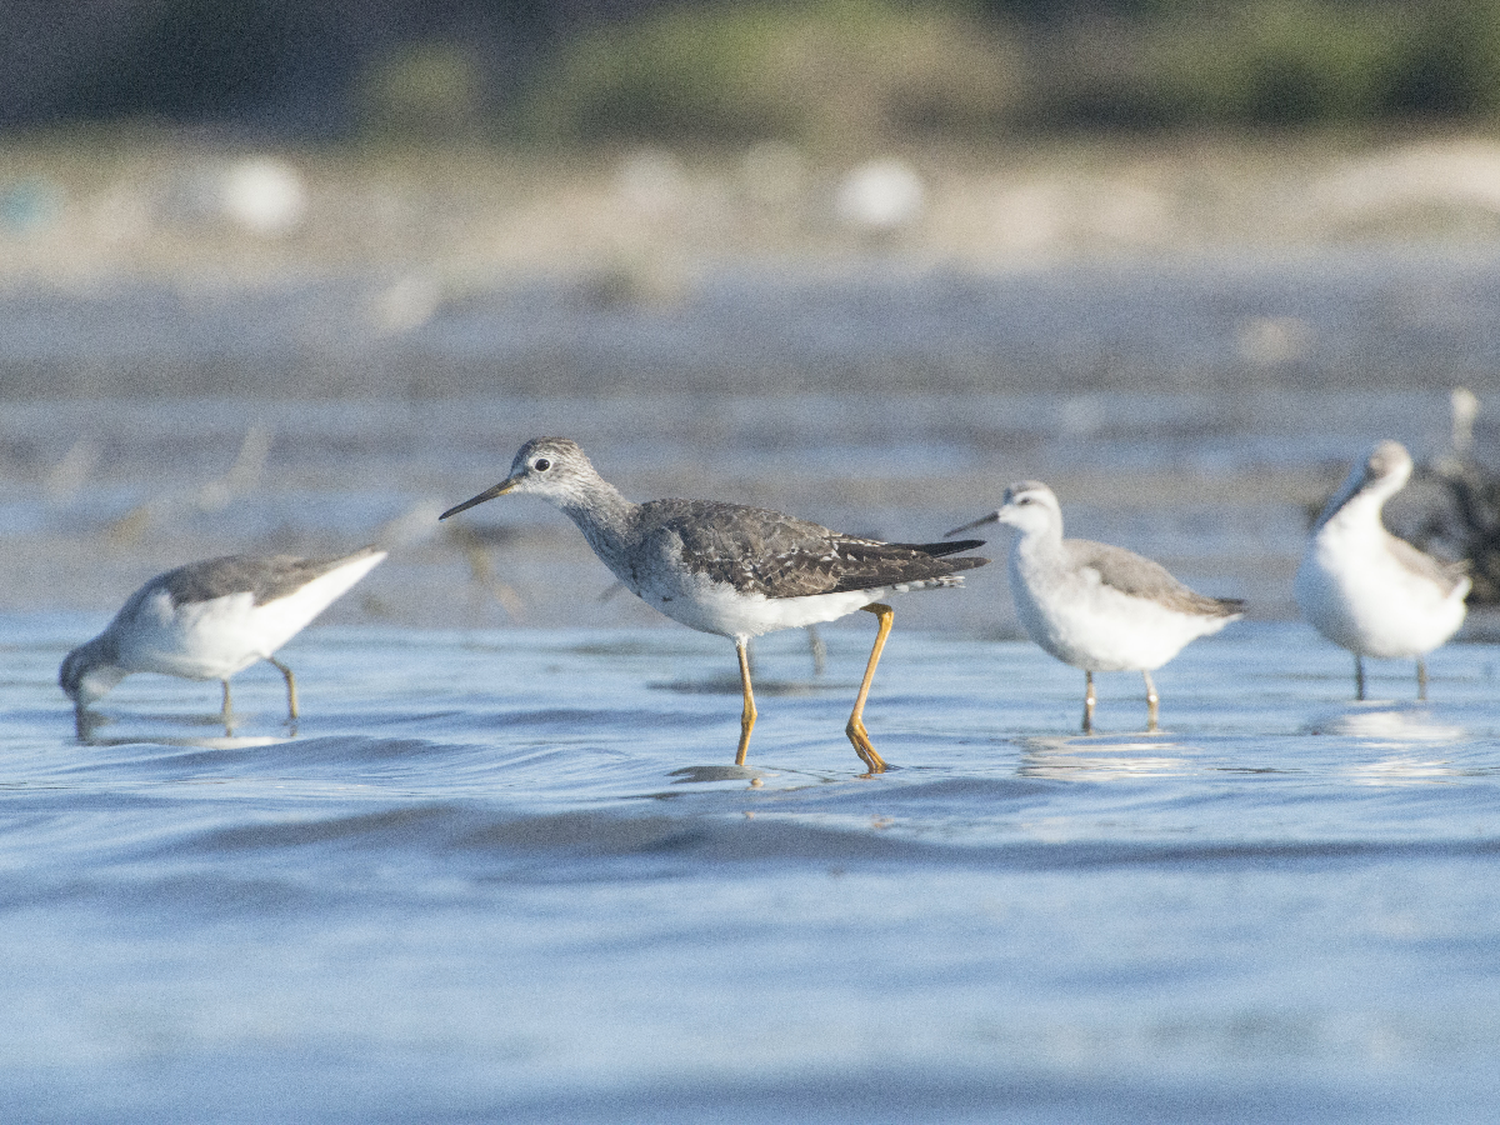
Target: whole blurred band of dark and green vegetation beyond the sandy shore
[{"x": 823, "y": 74}]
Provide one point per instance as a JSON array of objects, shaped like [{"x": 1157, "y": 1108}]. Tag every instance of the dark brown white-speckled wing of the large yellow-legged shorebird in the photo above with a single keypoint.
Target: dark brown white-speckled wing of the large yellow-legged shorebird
[{"x": 760, "y": 551}]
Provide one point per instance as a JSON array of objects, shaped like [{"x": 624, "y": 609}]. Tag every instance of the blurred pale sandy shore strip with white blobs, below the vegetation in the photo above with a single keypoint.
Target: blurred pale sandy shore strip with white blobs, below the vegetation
[{"x": 91, "y": 209}]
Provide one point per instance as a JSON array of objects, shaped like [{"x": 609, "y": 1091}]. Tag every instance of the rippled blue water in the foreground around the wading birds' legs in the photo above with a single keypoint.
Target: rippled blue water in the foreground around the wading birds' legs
[{"x": 509, "y": 875}]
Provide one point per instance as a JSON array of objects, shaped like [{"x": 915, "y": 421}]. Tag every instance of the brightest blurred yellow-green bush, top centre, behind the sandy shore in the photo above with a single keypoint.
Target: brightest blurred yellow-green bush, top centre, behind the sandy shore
[{"x": 826, "y": 73}]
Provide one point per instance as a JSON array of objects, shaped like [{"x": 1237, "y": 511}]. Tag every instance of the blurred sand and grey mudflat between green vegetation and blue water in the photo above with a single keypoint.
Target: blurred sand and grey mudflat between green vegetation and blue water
[{"x": 1187, "y": 338}]
